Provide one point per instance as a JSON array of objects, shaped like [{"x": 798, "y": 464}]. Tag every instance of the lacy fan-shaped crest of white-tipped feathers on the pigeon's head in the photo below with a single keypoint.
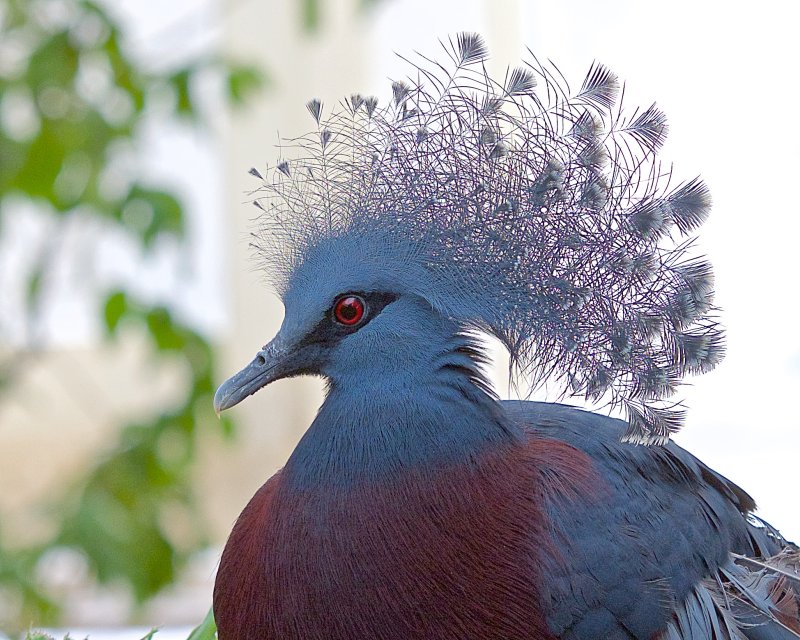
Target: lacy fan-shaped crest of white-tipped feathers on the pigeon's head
[{"x": 539, "y": 215}]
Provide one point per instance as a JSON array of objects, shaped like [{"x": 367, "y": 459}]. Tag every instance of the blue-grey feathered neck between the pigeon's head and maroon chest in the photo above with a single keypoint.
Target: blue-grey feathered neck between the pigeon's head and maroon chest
[{"x": 367, "y": 431}]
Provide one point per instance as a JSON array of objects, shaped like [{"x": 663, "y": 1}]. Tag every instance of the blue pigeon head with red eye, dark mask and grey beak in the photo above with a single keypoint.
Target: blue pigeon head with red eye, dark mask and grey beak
[{"x": 358, "y": 308}]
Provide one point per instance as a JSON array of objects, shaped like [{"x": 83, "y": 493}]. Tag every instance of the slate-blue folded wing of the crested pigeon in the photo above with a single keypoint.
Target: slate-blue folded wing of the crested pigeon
[{"x": 666, "y": 548}]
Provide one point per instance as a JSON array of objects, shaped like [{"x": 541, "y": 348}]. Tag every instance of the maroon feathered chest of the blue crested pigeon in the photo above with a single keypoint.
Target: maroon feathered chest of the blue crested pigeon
[{"x": 450, "y": 554}]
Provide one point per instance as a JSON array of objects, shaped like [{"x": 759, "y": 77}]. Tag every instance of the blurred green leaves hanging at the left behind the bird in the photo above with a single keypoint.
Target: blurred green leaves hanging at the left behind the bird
[{"x": 72, "y": 98}]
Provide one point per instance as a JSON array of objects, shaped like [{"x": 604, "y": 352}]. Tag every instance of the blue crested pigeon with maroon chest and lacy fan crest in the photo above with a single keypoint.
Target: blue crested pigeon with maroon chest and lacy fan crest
[{"x": 418, "y": 504}]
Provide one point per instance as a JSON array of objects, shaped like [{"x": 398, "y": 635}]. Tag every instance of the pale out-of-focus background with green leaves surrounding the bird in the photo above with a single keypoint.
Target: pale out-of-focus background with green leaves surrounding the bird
[{"x": 127, "y": 293}]
